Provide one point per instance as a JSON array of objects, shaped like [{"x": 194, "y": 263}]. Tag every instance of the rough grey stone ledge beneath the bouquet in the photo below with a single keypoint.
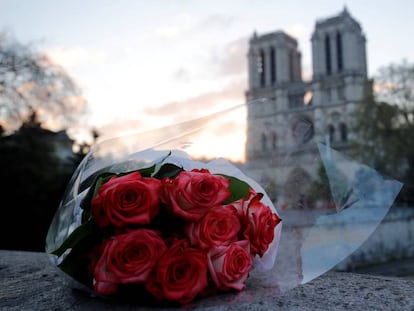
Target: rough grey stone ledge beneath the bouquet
[{"x": 30, "y": 282}]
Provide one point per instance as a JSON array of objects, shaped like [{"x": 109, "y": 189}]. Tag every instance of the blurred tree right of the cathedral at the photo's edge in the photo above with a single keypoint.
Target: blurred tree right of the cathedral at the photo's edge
[{"x": 385, "y": 125}]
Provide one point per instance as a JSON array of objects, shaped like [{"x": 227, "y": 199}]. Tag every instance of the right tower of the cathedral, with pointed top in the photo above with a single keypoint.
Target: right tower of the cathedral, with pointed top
[{"x": 339, "y": 75}]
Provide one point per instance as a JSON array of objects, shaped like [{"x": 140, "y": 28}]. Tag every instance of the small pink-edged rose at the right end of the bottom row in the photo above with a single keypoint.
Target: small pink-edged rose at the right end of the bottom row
[{"x": 229, "y": 266}]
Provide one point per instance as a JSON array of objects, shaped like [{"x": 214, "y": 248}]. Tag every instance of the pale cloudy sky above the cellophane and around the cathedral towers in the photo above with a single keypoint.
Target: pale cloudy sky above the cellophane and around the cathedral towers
[{"x": 146, "y": 64}]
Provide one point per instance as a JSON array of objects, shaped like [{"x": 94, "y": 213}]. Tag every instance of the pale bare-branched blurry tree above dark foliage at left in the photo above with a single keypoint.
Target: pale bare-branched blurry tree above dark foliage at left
[{"x": 30, "y": 80}]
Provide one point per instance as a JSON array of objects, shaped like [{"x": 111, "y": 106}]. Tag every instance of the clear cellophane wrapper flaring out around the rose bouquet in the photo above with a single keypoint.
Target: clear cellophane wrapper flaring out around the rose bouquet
[{"x": 323, "y": 221}]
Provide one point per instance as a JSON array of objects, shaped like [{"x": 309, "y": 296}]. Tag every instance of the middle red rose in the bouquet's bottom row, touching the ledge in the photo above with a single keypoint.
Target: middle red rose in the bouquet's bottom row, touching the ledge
[{"x": 181, "y": 274}]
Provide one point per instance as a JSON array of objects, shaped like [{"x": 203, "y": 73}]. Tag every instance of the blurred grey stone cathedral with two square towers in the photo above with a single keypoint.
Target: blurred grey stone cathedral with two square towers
[{"x": 286, "y": 115}]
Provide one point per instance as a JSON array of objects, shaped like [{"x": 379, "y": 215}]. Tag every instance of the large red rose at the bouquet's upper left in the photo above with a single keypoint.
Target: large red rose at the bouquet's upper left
[{"x": 126, "y": 200}]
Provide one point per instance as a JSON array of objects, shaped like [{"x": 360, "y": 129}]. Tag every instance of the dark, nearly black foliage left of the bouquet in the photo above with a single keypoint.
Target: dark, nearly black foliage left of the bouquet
[{"x": 33, "y": 180}]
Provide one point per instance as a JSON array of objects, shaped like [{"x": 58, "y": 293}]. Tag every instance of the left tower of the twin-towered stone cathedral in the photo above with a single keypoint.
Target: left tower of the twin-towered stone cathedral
[{"x": 275, "y": 85}]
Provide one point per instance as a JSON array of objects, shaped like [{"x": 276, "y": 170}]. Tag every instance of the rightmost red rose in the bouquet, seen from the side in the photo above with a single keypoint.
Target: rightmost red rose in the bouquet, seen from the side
[{"x": 260, "y": 225}]
